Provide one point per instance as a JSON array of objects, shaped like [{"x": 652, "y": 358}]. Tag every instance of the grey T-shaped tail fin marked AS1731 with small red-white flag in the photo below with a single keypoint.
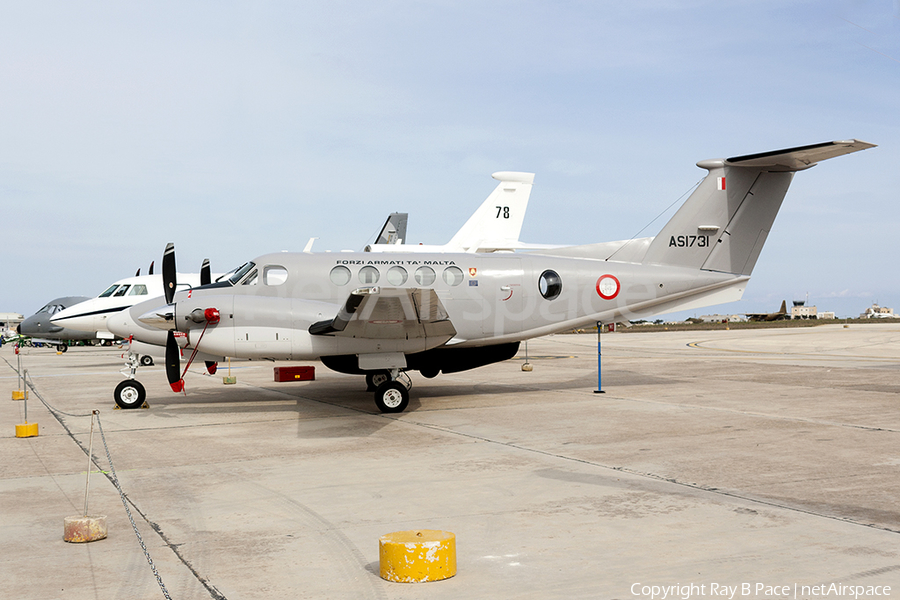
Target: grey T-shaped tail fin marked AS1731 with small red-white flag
[{"x": 724, "y": 224}]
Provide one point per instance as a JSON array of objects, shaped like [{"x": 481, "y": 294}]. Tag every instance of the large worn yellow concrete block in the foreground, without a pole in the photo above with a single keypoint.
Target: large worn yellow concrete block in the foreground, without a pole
[{"x": 417, "y": 556}]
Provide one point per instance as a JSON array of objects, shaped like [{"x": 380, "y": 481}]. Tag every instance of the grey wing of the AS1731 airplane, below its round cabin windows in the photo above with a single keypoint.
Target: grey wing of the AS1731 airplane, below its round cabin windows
[{"x": 389, "y": 313}]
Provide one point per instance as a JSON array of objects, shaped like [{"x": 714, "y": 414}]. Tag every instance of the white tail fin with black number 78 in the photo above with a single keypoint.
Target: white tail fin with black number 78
[{"x": 499, "y": 219}]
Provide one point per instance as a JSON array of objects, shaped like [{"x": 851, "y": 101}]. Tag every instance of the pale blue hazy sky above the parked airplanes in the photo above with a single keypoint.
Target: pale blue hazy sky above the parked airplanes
[{"x": 235, "y": 129}]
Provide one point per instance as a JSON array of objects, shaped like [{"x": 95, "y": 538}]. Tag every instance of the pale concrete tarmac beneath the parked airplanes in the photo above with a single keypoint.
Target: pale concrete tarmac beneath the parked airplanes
[{"x": 733, "y": 461}]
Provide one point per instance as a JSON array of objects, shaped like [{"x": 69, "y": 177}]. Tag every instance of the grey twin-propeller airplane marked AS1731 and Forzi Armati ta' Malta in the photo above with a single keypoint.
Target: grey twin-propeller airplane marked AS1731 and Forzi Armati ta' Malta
[{"x": 450, "y": 312}]
